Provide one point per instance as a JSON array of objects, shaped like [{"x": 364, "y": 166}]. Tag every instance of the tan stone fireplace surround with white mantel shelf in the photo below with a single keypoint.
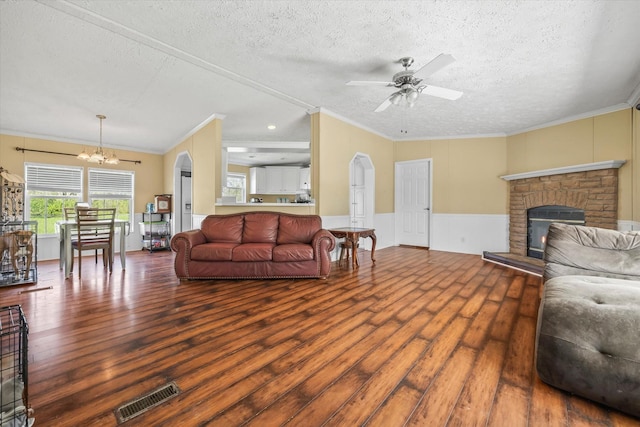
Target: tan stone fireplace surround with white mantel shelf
[{"x": 592, "y": 188}]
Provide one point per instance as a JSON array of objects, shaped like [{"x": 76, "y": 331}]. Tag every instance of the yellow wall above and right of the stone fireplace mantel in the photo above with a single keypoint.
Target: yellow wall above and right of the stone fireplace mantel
[{"x": 595, "y": 139}]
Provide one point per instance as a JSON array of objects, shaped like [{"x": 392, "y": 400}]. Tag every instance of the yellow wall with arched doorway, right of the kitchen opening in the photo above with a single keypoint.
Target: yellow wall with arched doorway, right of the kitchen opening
[{"x": 334, "y": 144}]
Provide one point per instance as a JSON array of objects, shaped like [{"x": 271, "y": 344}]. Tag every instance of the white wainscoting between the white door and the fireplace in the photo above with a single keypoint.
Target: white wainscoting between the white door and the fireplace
[{"x": 470, "y": 233}]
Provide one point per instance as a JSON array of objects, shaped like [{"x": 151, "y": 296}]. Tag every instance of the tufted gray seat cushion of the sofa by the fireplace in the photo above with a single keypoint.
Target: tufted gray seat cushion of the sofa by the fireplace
[{"x": 587, "y": 339}]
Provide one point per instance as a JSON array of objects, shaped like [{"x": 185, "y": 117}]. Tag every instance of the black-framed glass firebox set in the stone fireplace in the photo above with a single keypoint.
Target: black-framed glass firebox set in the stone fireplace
[{"x": 538, "y": 221}]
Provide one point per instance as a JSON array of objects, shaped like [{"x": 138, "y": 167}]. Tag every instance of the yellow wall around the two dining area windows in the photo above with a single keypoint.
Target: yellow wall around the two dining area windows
[{"x": 149, "y": 175}]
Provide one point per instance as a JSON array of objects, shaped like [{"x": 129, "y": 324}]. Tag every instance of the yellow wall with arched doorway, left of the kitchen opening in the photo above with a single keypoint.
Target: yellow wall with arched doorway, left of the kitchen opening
[{"x": 204, "y": 147}]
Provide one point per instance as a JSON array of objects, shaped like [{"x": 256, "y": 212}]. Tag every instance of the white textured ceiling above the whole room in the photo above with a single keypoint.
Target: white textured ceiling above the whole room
[{"x": 160, "y": 69}]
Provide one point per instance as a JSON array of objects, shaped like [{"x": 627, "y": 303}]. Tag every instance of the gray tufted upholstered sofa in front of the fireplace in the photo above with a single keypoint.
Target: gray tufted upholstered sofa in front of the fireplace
[{"x": 588, "y": 332}]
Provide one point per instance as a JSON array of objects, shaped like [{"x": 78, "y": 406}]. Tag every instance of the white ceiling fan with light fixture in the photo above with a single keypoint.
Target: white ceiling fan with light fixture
[{"x": 409, "y": 82}]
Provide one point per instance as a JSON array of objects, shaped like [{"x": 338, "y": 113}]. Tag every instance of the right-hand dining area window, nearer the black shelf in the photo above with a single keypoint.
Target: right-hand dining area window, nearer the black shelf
[{"x": 112, "y": 189}]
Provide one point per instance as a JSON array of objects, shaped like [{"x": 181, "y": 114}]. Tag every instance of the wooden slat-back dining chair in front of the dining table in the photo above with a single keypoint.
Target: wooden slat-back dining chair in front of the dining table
[{"x": 95, "y": 228}]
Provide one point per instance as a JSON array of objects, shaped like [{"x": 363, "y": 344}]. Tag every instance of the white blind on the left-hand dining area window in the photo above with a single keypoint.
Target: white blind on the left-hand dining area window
[{"x": 50, "y": 178}]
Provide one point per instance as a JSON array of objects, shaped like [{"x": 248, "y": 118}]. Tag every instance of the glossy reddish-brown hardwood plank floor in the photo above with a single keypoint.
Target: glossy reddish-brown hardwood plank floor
[{"x": 422, "y": 338}]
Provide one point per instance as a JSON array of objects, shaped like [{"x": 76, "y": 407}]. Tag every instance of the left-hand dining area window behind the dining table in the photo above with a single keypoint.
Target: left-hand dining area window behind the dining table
[{"x": 49, "y": 189}]
